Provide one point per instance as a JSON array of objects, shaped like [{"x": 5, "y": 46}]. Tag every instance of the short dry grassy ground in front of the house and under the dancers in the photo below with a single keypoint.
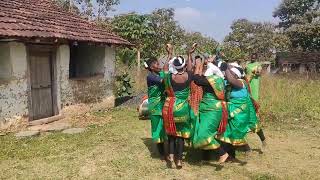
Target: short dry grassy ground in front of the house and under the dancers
[{"x": 121, "y": 148}]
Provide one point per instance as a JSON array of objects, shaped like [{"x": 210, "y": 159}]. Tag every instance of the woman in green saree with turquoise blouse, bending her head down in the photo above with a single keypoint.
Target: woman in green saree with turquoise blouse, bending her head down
[{"x": 238, "y": 109}]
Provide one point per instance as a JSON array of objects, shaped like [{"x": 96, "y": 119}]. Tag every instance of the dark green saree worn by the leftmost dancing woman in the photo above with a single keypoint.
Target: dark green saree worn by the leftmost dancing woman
[{"x": 155, "y": 104}]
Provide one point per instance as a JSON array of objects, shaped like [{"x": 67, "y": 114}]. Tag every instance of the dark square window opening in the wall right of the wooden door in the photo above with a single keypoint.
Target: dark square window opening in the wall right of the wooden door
[{"x": 86, "y": 61}]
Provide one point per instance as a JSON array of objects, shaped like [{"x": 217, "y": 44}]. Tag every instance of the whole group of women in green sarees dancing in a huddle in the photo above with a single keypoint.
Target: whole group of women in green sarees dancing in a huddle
[{"x": 207, "y": 102}]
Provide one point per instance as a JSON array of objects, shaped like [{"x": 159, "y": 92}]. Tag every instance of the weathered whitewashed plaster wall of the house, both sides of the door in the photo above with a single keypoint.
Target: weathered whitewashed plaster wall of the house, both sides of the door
[{"x": 14, "y": 91}]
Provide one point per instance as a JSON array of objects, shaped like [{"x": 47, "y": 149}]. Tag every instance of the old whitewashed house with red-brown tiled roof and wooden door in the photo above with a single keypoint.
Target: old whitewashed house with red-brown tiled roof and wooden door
[{"x": 50, "y": 58}]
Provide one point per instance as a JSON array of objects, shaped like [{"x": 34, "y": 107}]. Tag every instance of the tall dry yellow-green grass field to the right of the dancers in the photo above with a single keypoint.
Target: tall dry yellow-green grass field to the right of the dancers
[{"x": 290, "y": 101}]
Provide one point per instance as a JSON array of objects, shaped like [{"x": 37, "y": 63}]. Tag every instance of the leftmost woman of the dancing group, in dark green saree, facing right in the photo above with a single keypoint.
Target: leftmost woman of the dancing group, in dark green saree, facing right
[{"x": 155, "y": 102}]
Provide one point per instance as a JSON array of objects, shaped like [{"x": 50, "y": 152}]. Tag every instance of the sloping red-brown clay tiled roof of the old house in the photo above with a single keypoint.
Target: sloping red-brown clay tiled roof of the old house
[{"x": 44, "y": 19}]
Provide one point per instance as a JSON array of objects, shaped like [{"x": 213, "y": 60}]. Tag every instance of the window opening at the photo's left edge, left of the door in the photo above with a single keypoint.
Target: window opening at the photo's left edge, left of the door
[{"x": 5, "y": 64}]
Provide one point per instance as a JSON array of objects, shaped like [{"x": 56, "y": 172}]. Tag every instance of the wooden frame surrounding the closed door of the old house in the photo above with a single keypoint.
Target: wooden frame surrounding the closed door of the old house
[{"x": 53, "y": 63}]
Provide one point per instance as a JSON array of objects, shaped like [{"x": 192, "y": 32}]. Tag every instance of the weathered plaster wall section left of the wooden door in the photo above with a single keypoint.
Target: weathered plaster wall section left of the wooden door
[{"x": 14, "y": 91}]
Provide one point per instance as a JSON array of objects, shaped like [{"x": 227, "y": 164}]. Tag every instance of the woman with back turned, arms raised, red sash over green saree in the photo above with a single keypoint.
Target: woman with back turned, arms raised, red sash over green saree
[{"x": 176, "y": 110}]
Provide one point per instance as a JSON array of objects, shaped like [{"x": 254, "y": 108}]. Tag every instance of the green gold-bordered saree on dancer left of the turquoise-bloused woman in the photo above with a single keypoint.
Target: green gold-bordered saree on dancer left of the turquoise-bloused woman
[{"x": 210, "y": 115}]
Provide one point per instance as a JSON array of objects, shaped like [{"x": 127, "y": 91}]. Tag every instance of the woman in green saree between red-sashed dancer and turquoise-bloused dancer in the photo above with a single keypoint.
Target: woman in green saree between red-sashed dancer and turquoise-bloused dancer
[{"x": 213, "y": 114}]
